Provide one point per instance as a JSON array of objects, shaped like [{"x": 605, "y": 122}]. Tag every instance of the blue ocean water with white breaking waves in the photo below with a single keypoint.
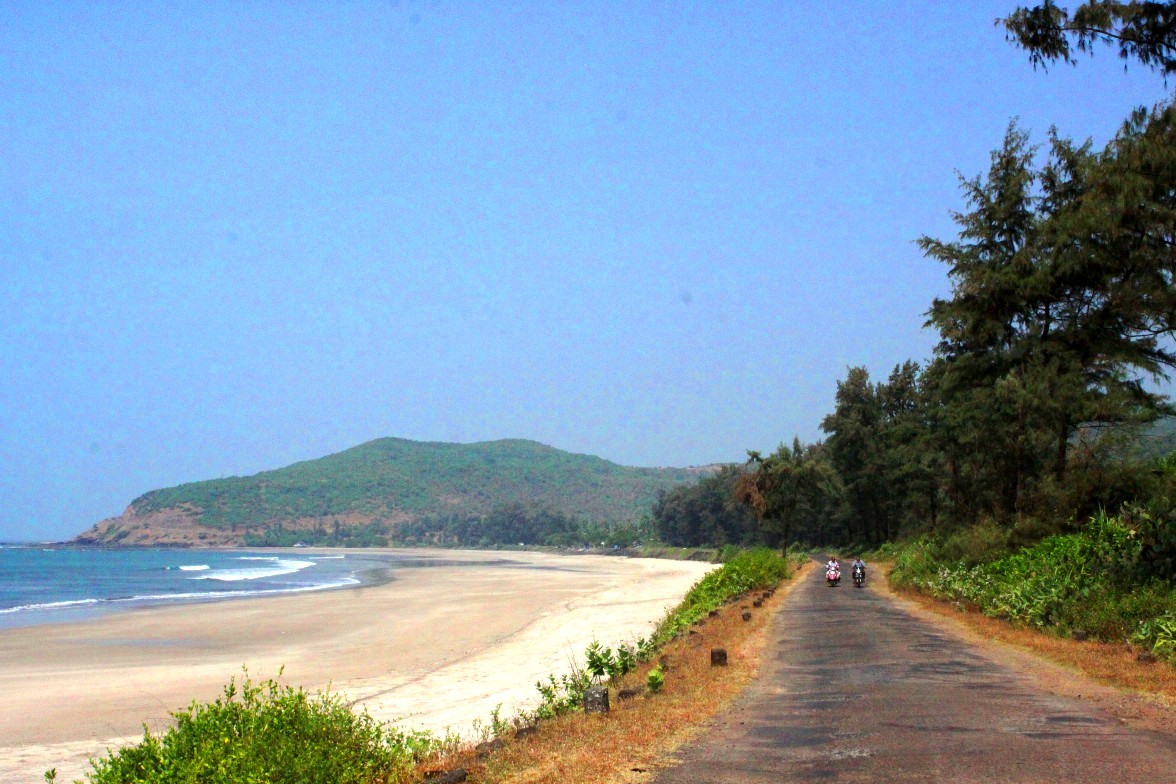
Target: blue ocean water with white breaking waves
[{"x": 49, "y": 585}]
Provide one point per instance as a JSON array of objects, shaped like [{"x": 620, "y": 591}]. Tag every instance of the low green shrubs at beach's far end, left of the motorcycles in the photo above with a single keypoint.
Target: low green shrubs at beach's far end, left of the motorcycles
[{"x": 751, "y": 571}]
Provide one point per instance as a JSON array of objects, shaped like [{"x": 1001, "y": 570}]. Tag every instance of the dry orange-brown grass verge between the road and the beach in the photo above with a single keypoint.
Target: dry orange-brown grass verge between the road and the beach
[{"x": 638, "y": 735}]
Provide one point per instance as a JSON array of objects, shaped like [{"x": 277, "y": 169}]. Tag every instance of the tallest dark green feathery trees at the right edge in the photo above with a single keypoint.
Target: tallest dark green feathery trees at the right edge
[{"x": 1055, "y": 311}]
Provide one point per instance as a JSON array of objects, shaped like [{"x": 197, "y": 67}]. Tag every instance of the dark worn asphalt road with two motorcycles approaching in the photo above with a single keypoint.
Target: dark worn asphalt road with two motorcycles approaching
[{"x": 857, "y": 689}]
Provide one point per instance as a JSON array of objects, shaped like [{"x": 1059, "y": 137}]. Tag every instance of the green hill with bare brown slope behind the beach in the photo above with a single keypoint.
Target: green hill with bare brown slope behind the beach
[{"x": 390, "y": 481}]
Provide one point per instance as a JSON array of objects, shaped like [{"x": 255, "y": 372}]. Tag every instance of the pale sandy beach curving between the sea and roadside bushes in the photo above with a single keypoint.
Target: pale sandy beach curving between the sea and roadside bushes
[{"x": 436, "y": 648}]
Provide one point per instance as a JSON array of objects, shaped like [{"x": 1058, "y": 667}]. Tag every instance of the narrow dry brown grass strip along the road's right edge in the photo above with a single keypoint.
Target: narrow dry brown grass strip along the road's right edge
[{"x": 1110, "y": 664}]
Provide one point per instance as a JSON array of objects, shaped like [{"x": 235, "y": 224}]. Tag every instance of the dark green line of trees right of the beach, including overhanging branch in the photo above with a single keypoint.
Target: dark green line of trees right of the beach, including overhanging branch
[{"x": 1059, "y": 327}]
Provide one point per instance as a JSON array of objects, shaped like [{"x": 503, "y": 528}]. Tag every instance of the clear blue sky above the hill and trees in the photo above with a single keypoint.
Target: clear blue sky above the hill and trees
[{"x": 238, "y": 236}]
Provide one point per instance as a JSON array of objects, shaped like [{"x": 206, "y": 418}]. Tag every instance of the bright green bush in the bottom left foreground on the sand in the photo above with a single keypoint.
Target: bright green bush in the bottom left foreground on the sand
[{"x": 268, "y": 733}]
